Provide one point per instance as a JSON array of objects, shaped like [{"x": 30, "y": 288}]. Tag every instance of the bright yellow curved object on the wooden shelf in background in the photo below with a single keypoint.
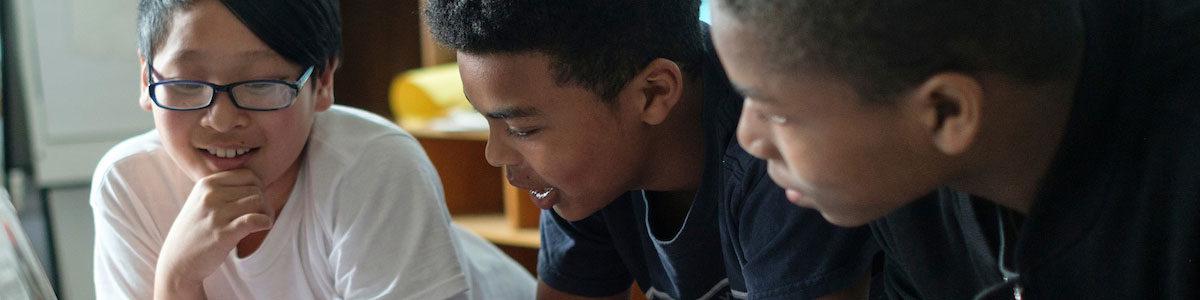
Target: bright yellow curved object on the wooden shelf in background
[{"x": 422, "y": 95}]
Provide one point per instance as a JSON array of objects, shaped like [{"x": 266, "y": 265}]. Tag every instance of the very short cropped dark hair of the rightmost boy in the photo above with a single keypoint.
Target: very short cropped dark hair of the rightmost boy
[{"x": 885, "y": 47}]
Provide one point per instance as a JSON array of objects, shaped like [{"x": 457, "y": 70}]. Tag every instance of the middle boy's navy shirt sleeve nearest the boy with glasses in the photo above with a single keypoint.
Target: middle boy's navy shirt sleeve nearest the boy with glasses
[{"x": 580, "y": 257}]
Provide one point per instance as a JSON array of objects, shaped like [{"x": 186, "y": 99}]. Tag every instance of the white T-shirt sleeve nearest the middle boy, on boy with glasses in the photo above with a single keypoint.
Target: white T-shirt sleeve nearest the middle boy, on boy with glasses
[{"x": 391, "y": 236}]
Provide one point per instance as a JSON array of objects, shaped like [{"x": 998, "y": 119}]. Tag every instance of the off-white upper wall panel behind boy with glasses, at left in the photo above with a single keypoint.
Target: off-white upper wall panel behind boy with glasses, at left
[{"x": 79, "y": 73}]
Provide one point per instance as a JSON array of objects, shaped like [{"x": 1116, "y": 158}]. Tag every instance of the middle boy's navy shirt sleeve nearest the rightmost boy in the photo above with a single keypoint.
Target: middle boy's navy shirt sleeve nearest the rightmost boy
[{"x": 791, "y": 253}]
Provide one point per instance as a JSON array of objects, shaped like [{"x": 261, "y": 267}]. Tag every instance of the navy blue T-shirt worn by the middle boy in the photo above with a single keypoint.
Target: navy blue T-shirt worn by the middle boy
[{"x": 741, "y": 238}]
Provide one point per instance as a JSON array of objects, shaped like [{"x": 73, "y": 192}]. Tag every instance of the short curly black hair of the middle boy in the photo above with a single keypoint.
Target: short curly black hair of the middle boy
[{"x": 598, "y": 45}]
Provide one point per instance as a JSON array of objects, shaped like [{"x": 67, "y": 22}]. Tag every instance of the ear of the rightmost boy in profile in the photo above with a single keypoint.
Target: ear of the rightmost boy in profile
[{"x": 951, "y": 107}]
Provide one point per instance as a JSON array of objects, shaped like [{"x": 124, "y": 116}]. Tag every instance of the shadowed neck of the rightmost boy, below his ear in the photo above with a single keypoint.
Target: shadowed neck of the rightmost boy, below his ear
[{"x": 1027, "y": 130}]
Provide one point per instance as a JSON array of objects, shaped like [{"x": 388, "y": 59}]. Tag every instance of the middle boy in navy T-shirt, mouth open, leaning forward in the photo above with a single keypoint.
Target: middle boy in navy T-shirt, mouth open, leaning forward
[{"x": 619, "y": 119}]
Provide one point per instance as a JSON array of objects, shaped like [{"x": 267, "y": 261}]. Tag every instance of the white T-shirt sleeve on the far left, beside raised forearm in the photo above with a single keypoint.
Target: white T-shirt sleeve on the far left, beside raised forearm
[{"x": 127, "y": 242}]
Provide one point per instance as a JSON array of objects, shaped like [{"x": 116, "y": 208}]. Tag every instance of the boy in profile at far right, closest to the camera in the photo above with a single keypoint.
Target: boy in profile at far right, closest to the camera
[{"x": 1060, "y": 139}]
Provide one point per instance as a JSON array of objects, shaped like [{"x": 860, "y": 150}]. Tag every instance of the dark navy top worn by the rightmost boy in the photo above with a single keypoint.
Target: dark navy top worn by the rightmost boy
[{"x": 1118, "y": 215}]
